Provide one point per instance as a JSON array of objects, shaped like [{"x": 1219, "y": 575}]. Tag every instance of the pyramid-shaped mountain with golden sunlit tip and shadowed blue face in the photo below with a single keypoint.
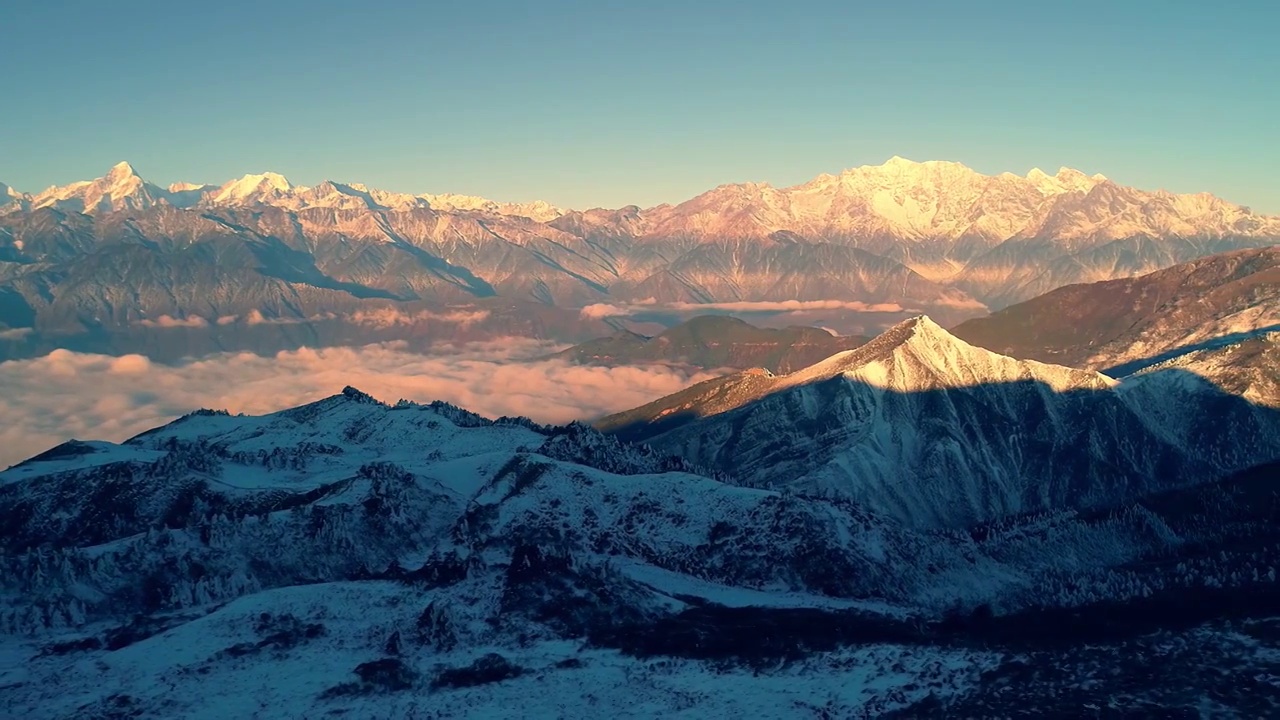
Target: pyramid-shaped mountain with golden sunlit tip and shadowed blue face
[{"x": 926, "y": 429}]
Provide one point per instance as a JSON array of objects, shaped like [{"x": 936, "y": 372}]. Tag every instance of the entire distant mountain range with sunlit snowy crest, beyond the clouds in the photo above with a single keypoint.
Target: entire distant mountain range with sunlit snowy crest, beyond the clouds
[{"x": 121, "y": 263}]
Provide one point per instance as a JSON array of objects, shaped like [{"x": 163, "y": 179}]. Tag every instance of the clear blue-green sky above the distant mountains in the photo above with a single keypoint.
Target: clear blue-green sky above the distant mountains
[{"x": 609, "y": 103}]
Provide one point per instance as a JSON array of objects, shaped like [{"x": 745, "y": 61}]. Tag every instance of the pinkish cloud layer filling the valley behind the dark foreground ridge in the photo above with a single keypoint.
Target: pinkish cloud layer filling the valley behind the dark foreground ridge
[{"x": 65, "y": 395}]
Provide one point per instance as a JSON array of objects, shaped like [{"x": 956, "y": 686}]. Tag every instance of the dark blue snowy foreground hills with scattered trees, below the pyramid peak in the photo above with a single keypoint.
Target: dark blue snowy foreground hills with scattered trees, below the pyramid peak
[{"x": 408, "y": 560}]
